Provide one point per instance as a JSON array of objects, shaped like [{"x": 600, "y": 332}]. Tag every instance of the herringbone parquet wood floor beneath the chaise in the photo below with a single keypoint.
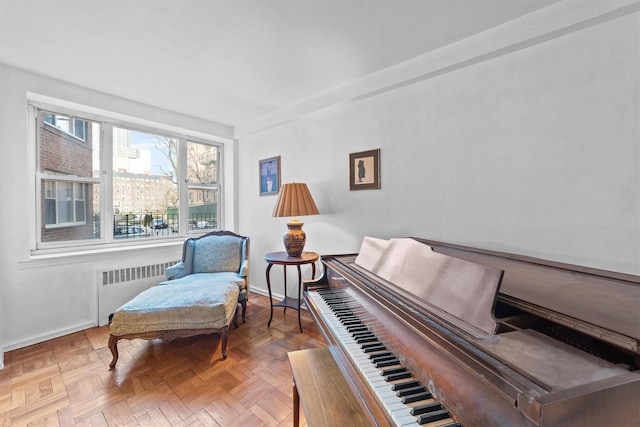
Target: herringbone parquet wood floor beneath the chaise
[{"x": 66, "y": 381}]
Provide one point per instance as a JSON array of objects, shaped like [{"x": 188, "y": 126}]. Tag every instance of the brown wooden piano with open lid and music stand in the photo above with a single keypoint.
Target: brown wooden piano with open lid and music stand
[{"x": 438, "y": 334}]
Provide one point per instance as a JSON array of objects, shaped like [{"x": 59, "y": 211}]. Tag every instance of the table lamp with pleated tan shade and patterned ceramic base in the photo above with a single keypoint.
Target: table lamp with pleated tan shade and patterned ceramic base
[{"x": 294, "y": 200}]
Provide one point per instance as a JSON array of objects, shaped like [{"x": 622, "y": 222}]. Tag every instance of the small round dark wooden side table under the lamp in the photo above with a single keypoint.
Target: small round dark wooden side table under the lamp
[{"x": 281, "y": 258}]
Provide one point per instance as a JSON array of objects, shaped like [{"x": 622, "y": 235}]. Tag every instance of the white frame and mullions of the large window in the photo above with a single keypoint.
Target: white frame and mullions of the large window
[{"x": 105, "y": 180}]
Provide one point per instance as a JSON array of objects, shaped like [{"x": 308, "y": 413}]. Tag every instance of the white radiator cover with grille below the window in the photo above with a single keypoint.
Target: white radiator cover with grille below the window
[{"x": 119, "y": 285}]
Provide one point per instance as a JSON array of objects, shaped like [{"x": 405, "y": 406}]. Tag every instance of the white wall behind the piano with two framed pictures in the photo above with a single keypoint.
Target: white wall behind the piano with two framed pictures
[{"x": 524, "y": 139}]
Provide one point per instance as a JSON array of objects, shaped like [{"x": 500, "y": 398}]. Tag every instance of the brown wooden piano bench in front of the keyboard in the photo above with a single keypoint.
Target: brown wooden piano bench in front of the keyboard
[{"x": 326, "y": 397}]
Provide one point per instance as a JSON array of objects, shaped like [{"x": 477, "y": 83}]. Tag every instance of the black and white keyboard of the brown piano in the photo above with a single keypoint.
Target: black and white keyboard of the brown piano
[{"x": 405, "y": 399}]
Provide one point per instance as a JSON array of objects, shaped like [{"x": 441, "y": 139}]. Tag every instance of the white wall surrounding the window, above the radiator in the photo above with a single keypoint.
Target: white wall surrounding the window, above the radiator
[{"x": 44, "y": 298}]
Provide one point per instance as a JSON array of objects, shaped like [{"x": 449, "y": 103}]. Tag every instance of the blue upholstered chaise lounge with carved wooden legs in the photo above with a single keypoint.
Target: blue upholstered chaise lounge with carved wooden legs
[{"x": 201, "y": 295}]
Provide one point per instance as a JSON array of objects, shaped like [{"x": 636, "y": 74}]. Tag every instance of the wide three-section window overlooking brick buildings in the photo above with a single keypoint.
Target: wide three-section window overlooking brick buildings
[{"x": 137, "y": 198}]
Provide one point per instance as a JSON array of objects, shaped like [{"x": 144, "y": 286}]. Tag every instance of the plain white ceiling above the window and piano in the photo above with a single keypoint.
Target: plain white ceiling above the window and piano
[{"x": 231, "y": 61}]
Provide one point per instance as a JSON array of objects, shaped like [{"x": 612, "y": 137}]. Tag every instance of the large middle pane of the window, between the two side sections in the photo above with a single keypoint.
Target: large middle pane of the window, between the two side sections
[{"x": 145, "y": 191}]
